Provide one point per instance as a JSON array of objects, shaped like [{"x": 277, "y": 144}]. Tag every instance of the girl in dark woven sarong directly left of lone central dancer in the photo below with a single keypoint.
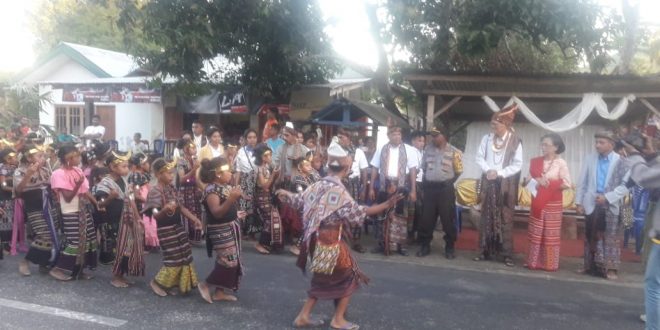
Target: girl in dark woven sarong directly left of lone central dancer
[{"x": 271, "y": 235}]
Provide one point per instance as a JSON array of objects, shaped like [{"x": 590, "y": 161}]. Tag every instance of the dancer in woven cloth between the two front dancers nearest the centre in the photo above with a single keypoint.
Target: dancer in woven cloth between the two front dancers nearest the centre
[{"x": 186, "y": 168}]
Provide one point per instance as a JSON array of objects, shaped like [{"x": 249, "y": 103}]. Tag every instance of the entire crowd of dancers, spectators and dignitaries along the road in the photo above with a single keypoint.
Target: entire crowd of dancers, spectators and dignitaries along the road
[{"x": 82, "y": 204}]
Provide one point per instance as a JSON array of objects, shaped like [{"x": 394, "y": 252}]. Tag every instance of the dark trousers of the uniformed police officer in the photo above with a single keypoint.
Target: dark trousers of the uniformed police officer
[{"x": 438, "y": 200}]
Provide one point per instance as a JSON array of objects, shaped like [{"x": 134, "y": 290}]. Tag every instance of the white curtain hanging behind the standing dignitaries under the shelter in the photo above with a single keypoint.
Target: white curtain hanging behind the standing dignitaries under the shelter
[{"x": 579, "y": 143}]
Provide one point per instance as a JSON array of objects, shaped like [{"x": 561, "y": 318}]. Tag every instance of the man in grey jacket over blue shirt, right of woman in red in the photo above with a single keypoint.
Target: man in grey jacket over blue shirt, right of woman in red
[{"x": 600, "y": 190}]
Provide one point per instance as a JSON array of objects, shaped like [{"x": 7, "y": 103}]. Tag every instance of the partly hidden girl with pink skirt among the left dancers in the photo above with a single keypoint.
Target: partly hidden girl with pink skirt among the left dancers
[{"x": 140, "y": 180}]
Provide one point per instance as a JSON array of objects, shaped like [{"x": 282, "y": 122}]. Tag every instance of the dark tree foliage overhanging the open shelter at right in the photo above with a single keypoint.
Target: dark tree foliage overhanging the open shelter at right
[{"x": 502, "y": 35}]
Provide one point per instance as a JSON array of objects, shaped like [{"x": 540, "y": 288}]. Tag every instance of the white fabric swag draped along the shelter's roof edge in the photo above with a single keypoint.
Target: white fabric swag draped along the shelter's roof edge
[{"x": 575, "y": 117}]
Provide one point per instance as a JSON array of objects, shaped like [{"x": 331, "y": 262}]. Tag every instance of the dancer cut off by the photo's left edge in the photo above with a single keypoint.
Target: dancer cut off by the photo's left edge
[{"x": 8, "y": 163}]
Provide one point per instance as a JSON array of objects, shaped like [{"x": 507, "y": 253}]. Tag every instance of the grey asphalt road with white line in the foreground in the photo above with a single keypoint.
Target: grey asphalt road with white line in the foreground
[{"x": 400, "y": 296}]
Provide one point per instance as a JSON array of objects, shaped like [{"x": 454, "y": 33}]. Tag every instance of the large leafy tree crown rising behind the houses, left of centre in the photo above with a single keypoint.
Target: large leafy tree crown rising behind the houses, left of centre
[{"x": 267, "y": 46}]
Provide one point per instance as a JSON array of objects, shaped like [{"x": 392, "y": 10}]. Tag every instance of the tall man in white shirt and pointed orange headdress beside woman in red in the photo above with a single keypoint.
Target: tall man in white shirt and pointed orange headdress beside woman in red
[{"x": 500, "y": 158}]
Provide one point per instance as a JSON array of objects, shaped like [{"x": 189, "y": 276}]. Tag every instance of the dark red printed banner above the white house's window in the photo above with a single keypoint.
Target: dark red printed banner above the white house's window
[{"x": 111, "y": 94}]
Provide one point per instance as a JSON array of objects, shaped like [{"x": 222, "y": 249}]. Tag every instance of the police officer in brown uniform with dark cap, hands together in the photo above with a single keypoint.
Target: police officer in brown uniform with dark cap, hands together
[{"x": 442, "y": 164}]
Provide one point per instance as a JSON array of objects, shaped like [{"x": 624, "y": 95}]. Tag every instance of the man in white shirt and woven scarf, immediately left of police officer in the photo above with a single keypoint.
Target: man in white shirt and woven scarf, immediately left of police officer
[{"x": 397, "y": 169}]
